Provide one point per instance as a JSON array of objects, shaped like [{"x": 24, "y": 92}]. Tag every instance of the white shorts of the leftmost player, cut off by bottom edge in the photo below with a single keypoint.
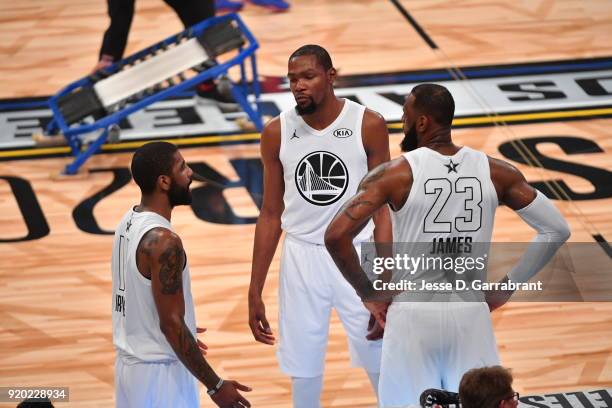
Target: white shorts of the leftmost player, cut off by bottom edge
[{"x": 149, "y": 385}]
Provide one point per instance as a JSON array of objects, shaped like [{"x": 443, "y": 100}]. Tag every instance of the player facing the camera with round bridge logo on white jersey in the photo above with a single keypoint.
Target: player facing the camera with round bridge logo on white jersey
[{"x": 314, "y": 156}]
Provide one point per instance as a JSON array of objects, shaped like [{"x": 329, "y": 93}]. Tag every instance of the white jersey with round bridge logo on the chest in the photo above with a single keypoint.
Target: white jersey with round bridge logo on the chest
[{"x": 322, "y": 170}]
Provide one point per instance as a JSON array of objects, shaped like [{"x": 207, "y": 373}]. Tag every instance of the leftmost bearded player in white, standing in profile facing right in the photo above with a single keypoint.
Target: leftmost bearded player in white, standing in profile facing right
[{"x": 159, "y": 360}]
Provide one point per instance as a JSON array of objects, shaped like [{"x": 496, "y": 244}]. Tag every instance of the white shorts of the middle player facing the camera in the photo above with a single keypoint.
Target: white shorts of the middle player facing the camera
[{"x": 310, "y": 285}]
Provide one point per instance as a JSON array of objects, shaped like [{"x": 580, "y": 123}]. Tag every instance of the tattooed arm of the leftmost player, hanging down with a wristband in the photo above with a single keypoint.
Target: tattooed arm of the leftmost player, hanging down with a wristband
[{"x": 161, "y": 255}]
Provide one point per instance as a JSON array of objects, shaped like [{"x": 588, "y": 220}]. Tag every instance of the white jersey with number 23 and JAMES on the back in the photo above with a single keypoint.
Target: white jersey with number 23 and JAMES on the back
[{"x": 450, "y": 209}]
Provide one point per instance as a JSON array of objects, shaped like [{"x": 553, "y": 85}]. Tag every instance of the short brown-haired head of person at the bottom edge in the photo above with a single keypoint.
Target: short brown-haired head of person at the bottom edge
[{"x": 487, "y": 387}]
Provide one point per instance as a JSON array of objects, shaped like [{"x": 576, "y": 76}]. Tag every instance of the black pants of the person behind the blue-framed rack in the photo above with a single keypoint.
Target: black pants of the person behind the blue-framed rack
[{"x": 121, "y": 13}]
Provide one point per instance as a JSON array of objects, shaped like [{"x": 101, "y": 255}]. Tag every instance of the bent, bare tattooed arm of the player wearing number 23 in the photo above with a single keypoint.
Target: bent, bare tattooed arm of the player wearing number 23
[{"x": 388, "y": 183}]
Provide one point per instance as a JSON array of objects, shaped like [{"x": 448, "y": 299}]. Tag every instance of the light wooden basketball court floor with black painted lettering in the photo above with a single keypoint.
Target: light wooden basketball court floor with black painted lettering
[{"x": 533, "y": 85}]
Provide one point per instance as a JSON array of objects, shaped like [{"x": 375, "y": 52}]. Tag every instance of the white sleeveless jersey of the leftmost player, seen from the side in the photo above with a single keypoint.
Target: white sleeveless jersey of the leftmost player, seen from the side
[{"x": 136, "y": 332}]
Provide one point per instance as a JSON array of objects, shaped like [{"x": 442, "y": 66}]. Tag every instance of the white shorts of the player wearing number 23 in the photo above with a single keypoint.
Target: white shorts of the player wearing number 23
[{"x": 431, "y": 345}]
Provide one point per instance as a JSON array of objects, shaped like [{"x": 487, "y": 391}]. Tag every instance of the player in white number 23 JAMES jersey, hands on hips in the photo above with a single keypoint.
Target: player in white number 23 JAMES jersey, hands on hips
[{"x": 431, "y": 344}]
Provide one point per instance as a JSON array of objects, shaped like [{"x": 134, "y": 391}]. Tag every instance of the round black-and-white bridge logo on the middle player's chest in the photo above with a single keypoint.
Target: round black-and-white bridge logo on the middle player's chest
[{"x": 321, "y": 178}]
